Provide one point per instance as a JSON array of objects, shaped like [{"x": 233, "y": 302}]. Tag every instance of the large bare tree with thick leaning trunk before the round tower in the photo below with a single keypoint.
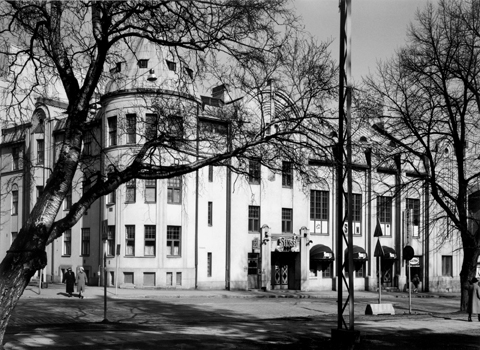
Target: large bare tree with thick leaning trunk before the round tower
[{"x": 68, "y": 45}]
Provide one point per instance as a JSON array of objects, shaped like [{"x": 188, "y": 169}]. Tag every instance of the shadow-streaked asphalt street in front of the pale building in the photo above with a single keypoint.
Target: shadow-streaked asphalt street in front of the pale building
[{"x": 176, "y": 319}]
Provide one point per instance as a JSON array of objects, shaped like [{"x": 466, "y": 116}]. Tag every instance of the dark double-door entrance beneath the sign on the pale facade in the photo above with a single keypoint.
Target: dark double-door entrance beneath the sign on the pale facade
[{"x": 283, "y": 270}]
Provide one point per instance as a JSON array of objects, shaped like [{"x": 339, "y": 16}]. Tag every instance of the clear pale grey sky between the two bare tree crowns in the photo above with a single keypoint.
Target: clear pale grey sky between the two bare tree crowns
[{"x": 378, "y": 27}]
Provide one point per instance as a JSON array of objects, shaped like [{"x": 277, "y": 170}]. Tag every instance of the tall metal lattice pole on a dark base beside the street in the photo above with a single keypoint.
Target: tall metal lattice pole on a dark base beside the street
[{"x": 344, "y": 333}]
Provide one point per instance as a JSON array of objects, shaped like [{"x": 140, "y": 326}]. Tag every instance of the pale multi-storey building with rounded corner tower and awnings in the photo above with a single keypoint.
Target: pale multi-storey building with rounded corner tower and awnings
[{"x": 213, "y": 228}]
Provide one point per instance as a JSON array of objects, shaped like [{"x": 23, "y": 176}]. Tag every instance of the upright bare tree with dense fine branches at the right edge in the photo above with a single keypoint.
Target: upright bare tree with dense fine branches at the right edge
[{"x": 430, "y": 92}]
